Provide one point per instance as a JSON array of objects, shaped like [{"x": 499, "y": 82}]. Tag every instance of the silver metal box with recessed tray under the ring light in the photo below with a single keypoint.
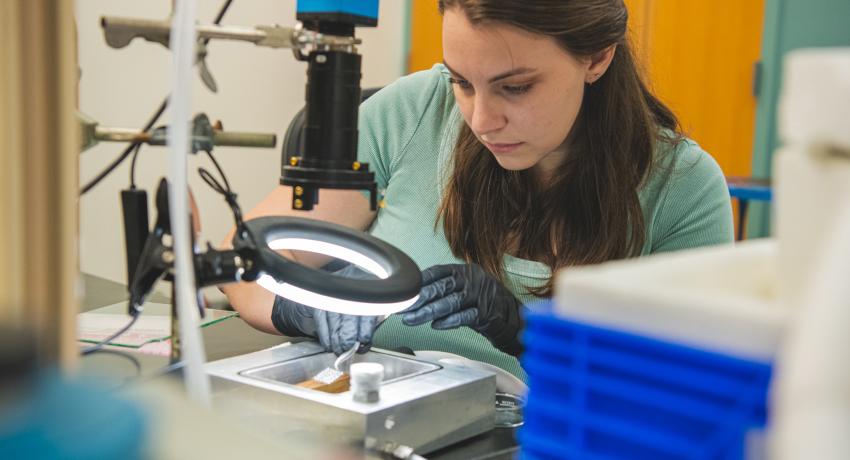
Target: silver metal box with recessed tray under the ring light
[{"x": 423, "y": 405}]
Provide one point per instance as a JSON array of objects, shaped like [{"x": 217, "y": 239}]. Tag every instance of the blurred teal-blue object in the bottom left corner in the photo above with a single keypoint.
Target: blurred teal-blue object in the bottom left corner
[{"x": 58, "y": 419}]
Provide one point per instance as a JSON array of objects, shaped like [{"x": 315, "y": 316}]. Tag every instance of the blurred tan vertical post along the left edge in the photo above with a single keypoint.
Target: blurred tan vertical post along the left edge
[{"x": 38, "y": 174}]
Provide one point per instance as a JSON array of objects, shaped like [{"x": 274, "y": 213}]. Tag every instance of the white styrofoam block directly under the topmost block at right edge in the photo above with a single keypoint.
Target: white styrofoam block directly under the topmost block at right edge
[{"x": 808, "y": 189}]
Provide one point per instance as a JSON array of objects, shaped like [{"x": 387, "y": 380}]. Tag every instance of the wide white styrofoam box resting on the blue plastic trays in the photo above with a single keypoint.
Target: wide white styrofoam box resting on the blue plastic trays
[{"x": 721, "y": 298}]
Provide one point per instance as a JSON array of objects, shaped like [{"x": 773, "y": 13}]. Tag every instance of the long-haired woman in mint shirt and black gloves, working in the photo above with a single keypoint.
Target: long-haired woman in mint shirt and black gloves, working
[{"x": 534, "y": 147}]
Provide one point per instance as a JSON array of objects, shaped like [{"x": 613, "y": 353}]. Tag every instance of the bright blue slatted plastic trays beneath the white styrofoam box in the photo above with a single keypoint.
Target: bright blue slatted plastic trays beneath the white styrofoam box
[{"x": 597, "y": 393}]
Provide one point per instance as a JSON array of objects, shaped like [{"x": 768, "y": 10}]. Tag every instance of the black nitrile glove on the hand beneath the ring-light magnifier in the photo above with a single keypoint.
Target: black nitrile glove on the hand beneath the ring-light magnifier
[{"x": 336, "y": 332}]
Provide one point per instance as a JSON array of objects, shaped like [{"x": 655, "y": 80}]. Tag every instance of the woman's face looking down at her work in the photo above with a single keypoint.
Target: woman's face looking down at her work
[{"x": 519, "y": 92}]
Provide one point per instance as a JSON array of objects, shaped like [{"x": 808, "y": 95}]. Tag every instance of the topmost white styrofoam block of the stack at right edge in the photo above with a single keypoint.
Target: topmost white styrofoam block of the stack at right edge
[{"x": 814, "y": 105}]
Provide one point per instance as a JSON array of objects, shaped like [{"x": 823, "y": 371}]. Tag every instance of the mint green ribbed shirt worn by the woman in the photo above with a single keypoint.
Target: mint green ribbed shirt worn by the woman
[{"x": 407, "y": 135}]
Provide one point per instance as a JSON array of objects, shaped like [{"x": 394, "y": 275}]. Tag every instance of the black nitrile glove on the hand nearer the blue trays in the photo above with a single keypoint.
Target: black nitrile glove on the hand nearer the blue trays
[{"x": 465, "y": 295}]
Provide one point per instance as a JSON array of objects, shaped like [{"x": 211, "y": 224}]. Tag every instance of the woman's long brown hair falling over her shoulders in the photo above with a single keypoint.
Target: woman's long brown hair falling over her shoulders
[{"x": 591, "y": 212}]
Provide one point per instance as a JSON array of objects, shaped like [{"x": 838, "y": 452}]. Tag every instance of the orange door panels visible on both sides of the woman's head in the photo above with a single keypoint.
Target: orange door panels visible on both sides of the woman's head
[{"x": 699, "y": 56}]
